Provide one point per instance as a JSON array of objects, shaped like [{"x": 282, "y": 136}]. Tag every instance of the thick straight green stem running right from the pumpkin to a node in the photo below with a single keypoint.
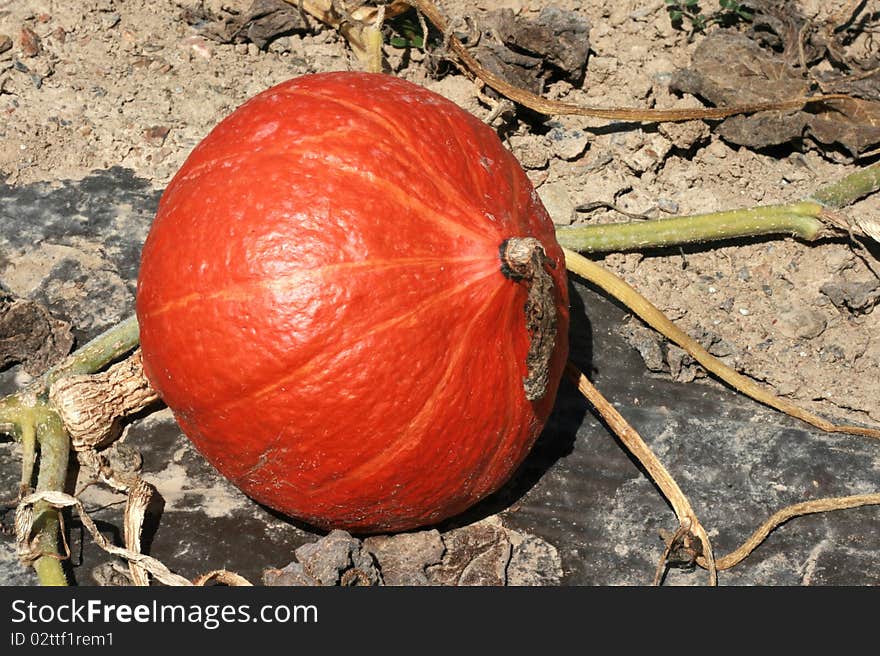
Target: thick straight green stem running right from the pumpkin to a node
[{"x": 797, "y": 219}]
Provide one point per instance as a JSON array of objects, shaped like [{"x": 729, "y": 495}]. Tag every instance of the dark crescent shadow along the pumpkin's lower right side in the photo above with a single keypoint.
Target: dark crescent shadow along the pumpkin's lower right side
[{"x": 557, "y": 440}]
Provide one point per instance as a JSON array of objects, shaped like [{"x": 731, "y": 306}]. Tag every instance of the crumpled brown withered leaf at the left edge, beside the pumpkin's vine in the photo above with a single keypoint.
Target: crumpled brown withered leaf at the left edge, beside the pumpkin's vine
[{"x": 30, "y": 335}]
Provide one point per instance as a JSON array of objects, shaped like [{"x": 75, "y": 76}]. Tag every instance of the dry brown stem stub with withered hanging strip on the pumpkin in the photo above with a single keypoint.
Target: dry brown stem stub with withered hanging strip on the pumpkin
[{"x": 523, "y": 260}]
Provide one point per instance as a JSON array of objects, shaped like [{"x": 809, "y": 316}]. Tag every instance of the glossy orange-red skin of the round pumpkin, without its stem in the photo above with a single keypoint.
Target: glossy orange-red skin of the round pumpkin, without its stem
[{"x": 322, "y": 306}]
